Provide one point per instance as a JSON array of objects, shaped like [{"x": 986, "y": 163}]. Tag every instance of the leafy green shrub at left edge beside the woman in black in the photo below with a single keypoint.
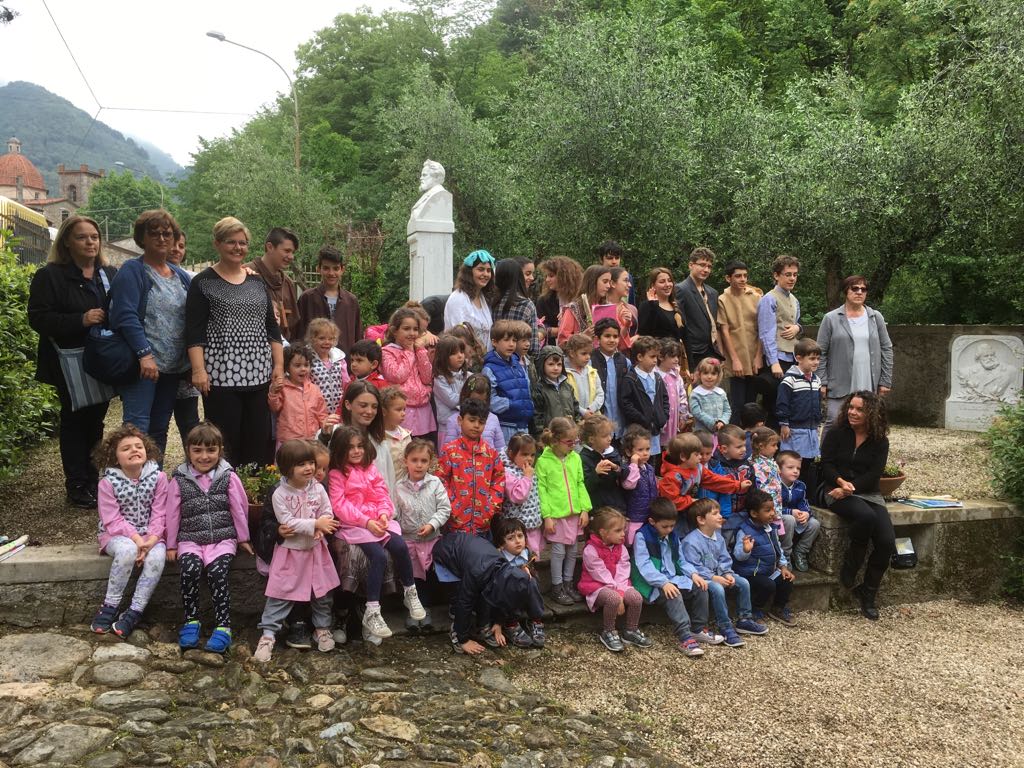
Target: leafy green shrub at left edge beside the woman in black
[{"x": 28, "y": 409}]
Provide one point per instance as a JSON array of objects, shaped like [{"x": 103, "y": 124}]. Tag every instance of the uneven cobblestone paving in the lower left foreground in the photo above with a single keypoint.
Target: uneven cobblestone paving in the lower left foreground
[{"x": 76, "y": 699}]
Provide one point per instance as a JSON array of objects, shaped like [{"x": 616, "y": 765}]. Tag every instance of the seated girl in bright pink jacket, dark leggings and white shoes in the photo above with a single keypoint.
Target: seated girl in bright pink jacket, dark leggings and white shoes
[{"x": 363, "y": 505}]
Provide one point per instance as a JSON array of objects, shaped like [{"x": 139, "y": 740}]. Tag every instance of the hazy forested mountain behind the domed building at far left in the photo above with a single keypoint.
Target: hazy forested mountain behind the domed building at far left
[{"x": 52, "y": 132}]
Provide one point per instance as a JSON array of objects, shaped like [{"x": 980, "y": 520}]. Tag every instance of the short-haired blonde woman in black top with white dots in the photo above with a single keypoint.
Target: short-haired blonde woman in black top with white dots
[{"x": 235, "y": 347}]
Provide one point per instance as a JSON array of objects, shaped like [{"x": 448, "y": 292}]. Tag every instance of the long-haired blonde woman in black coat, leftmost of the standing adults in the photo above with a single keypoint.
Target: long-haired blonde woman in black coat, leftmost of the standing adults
[{"x": 66, "y": 300}]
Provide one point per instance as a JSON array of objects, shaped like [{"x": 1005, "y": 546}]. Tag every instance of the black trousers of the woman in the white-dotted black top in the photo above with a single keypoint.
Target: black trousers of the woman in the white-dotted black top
[{"x": 244, "y": 417}]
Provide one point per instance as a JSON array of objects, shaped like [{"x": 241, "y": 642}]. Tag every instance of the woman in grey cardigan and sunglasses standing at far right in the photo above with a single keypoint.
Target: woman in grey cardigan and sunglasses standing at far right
[{"x": 857, "y": 352}]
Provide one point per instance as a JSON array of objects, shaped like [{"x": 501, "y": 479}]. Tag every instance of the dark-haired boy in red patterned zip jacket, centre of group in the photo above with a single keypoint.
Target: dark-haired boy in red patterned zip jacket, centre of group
[{"x": 473, "y": 474}]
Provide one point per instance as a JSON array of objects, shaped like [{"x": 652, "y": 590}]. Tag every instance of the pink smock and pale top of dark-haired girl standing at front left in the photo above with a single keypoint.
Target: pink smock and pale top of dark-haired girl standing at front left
[{"x": 302, "y": 566}]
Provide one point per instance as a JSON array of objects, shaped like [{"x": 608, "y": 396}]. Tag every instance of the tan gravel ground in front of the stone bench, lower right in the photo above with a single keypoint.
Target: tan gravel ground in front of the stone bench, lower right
[{"x": 931, "y": 686}]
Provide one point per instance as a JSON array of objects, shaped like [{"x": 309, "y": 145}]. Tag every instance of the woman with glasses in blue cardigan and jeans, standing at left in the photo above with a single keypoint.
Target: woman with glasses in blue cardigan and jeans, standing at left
[{"x": 148, "y": 308}]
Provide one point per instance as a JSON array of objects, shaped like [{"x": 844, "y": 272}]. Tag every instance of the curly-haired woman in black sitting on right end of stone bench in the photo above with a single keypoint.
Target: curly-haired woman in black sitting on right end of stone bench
[{"x": 854, "y": 455}]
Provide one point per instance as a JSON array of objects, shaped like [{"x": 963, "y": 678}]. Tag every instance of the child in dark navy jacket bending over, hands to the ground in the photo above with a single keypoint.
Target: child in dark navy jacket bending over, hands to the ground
[{"x": 490, "y": 585}]
